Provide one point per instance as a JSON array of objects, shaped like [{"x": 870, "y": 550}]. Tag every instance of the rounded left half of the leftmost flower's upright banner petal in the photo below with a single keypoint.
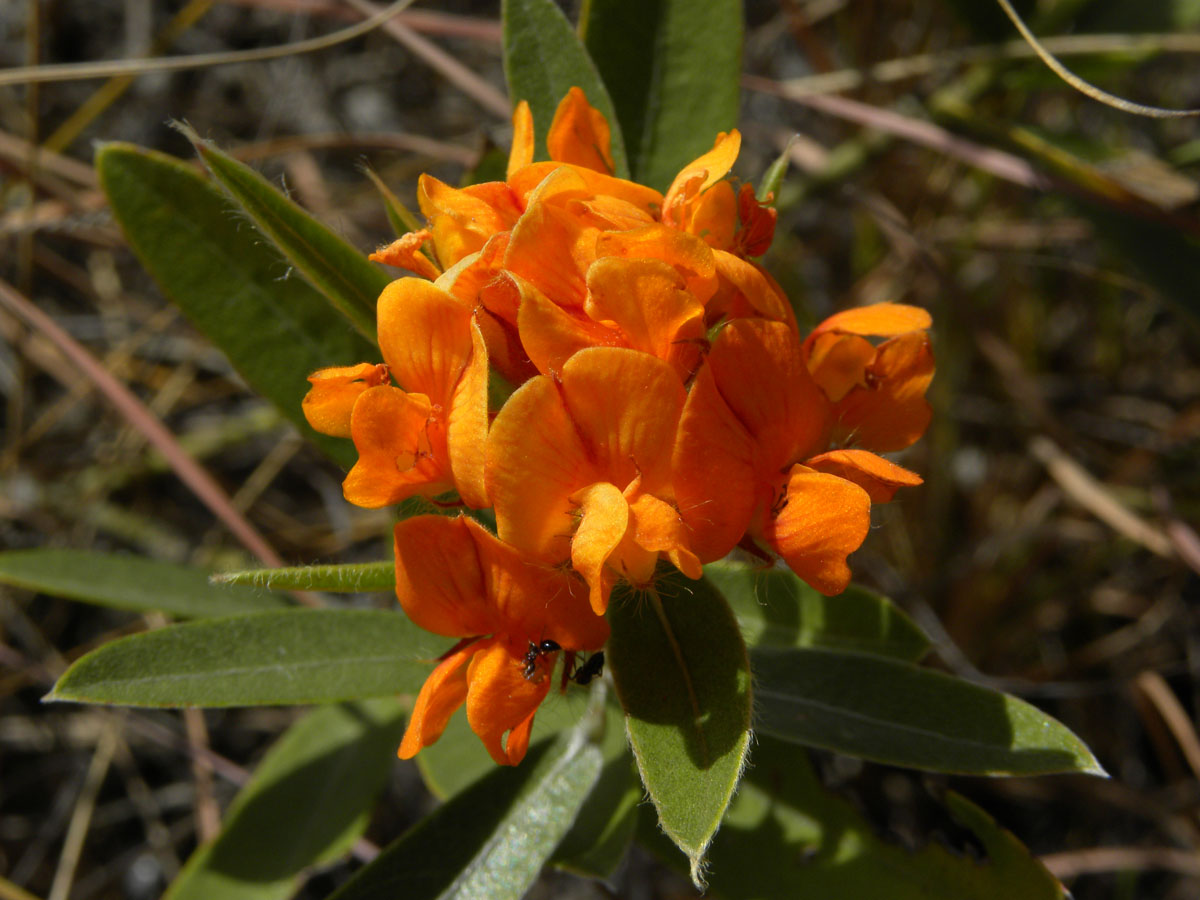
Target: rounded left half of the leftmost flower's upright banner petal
[{"x": 425, "y": 335}]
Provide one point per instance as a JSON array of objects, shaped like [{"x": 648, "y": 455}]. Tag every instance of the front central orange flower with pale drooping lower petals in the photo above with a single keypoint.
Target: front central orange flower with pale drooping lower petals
[{"x": 580, "y": 470}]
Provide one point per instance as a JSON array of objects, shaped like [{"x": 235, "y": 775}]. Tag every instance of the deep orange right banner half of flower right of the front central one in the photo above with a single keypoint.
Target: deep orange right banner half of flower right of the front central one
[{"x": 761, "y": 374}]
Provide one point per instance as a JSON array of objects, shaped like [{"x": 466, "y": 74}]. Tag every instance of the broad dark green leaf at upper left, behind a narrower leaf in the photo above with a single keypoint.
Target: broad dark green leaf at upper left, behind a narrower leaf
[{"x": 275, "y": 331}]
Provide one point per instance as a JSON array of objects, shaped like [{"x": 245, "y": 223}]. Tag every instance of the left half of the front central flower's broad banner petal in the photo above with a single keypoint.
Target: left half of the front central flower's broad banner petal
[{"x": 536, "y": 461}]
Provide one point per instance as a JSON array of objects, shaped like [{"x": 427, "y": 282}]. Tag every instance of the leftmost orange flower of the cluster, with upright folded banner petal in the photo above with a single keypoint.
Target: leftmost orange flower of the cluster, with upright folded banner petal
[{"x": 427, "y": 437}]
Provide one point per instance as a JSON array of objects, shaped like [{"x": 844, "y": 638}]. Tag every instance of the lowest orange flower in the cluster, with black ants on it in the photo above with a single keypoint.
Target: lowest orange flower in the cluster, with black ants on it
[{"x": 455, "y": 579}]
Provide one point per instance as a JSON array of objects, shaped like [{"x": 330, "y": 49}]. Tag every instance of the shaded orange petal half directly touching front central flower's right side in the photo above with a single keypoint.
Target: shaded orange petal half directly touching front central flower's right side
[{"x": 716, "y": 476}]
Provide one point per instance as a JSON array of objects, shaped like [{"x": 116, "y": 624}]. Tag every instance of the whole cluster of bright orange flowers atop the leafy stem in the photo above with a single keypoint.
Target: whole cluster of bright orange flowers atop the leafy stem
[{"x": 664, "y": 407}]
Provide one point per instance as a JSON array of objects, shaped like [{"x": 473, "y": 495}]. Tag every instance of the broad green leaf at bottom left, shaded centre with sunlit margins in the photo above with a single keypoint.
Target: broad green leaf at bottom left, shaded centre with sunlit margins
[{"x": 309, "y": 801}]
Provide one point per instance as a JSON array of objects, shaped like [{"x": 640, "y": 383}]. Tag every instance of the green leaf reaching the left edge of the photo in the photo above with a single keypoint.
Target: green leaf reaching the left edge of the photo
[{"x": 127, "y": 583}]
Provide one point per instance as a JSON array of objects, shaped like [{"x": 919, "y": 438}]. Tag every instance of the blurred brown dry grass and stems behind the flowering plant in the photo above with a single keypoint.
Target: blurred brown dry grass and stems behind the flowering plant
[{"x": 934, "y": 163}]
